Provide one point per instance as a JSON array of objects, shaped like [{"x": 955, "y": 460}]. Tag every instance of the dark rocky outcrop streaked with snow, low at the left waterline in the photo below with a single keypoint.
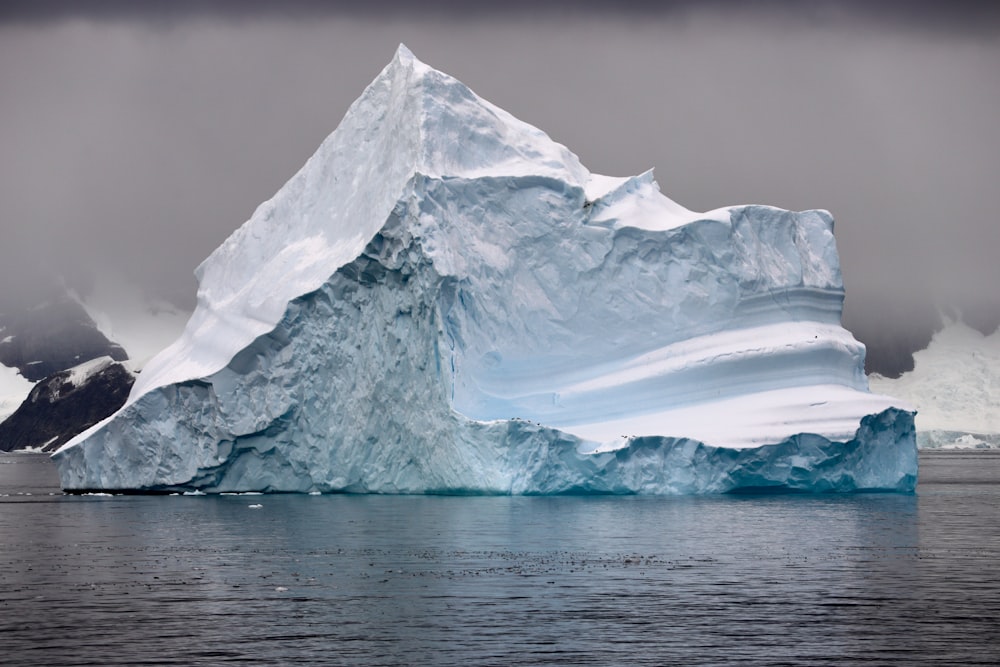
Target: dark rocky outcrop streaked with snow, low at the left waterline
[{"x": 66, "y": 403}]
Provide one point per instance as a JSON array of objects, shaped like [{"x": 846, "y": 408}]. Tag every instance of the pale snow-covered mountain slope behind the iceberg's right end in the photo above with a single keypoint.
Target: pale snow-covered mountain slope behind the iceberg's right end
[{"x": 955, "y": 388}]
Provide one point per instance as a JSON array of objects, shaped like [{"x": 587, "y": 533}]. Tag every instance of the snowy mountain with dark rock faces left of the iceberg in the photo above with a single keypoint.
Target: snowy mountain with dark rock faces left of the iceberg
[{"x": 60, "y": 351}]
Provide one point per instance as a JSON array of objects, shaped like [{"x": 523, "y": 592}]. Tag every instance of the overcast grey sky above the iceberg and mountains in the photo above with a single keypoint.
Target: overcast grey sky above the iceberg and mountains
[{"x": 137, "y": 136}]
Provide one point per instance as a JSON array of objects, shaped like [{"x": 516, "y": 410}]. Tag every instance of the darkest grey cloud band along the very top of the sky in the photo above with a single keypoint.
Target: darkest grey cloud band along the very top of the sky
[{"x": 971, "y": 16}]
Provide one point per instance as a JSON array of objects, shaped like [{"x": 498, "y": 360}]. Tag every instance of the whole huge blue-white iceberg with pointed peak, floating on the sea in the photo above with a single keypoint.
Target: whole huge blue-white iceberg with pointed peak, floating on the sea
[{"x": 444, "y": 300}]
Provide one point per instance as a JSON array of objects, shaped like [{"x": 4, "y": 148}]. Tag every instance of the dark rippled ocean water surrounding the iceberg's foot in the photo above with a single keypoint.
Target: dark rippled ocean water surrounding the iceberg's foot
[{"x": 874, "y": 579}]
